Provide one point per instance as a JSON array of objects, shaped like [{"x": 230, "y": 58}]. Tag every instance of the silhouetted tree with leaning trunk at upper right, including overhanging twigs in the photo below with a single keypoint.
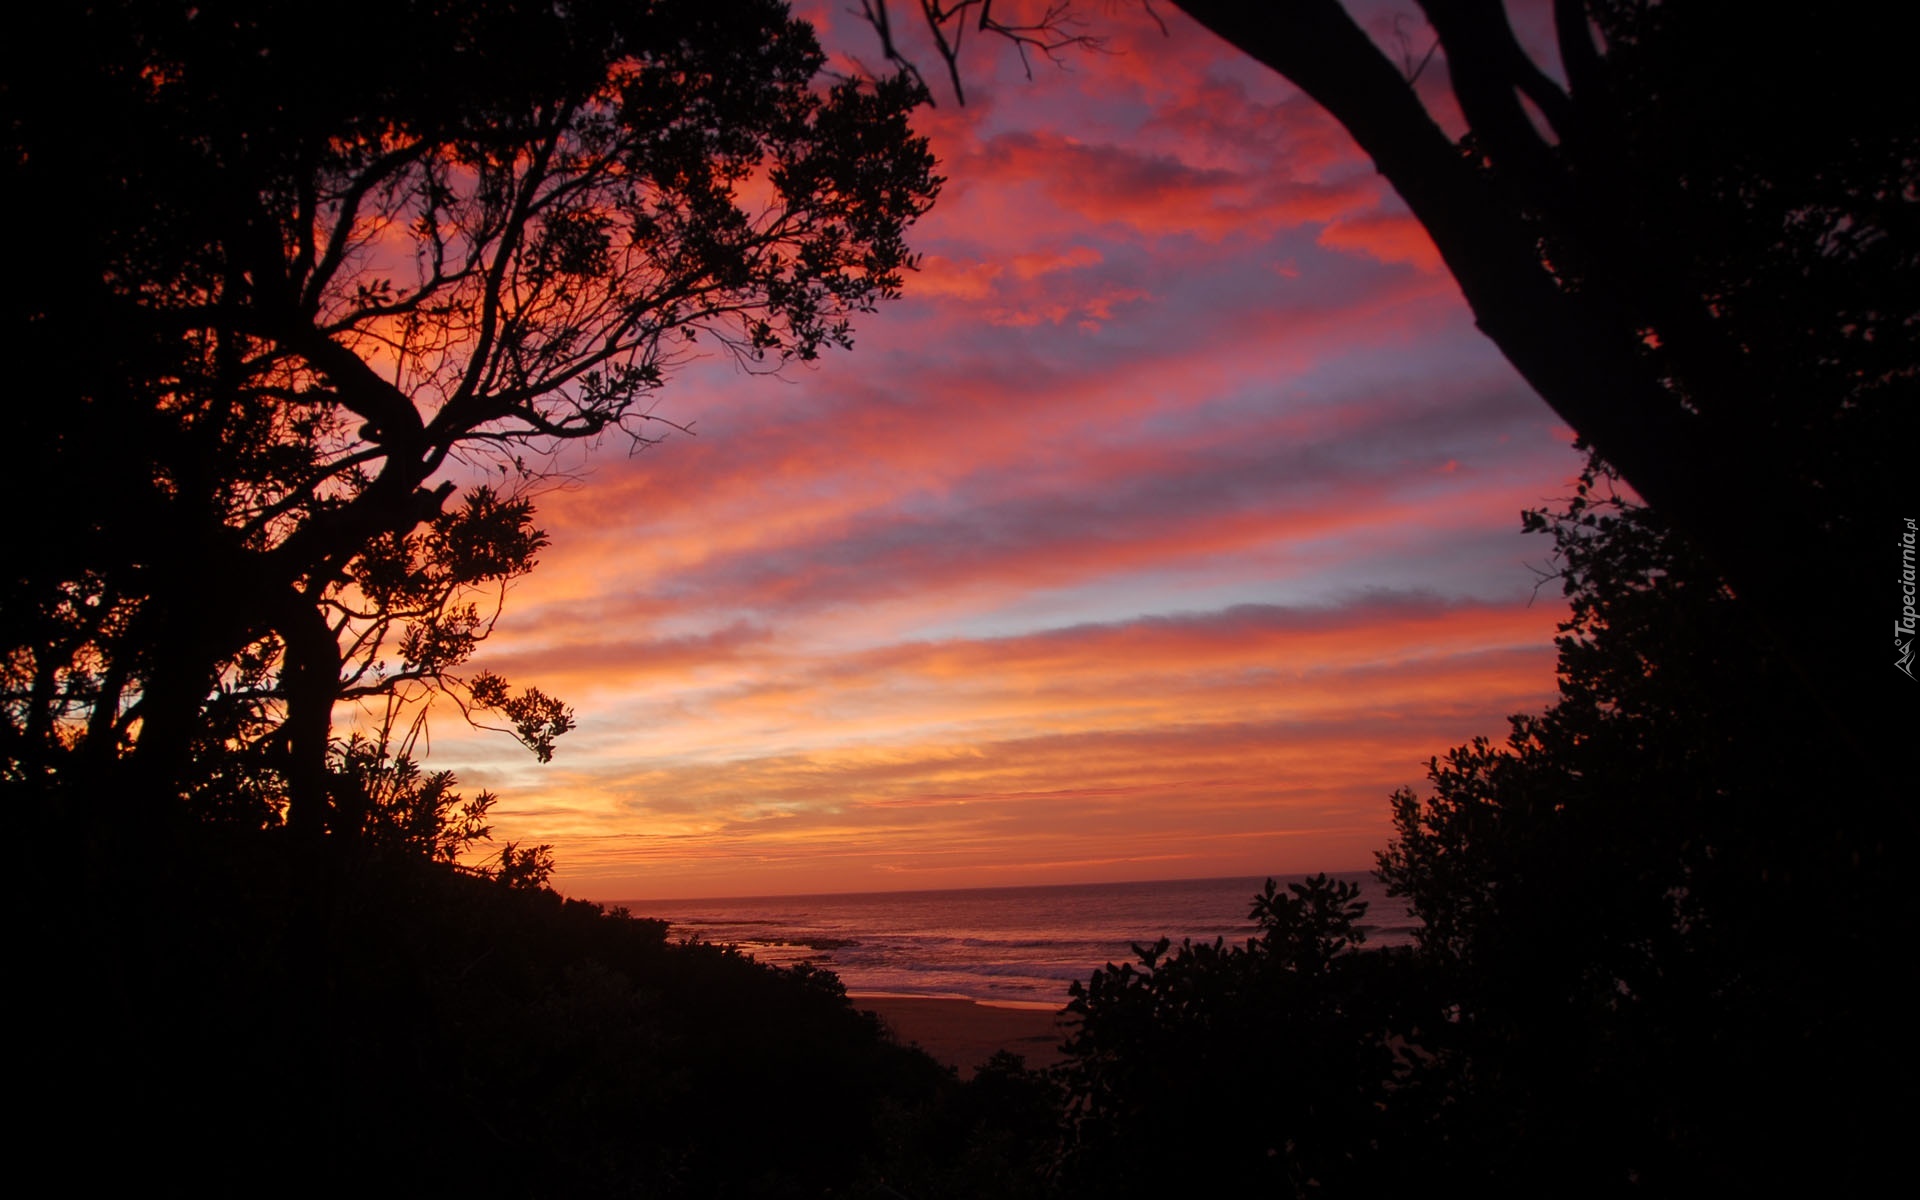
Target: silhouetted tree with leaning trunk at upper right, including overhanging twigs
[{"x": 1696, "y": 243}]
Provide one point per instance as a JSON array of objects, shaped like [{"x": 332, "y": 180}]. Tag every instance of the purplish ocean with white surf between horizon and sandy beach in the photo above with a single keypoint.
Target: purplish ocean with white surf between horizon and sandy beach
[{"x": 1017, "y": 948}]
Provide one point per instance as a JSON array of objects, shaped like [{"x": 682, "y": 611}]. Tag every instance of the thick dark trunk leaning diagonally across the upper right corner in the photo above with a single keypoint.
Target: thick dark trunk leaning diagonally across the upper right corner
[{"x": 1717, "y": 469}]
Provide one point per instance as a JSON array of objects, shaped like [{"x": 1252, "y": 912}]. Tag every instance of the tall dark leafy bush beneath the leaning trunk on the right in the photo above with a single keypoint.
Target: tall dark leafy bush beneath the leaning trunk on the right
[{"x": 1654, "y": 913}]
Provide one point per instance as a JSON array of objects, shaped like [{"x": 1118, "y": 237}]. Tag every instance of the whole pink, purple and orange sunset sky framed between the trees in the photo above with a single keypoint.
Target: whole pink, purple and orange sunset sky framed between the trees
[{"x": 1163, "y": 529}]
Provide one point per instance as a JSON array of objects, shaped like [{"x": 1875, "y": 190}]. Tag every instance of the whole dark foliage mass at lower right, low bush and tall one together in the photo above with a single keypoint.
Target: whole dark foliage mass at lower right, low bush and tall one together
[{"x": 1652, "y": 951}]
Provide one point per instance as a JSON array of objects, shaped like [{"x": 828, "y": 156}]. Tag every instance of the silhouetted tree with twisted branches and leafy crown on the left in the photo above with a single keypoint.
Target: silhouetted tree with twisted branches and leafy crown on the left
[{"x": 314, "y": 272}]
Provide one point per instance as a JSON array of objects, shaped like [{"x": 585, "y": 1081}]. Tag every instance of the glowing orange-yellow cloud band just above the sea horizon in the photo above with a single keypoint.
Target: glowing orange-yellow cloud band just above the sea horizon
[{"x": 1197, "y": 738}]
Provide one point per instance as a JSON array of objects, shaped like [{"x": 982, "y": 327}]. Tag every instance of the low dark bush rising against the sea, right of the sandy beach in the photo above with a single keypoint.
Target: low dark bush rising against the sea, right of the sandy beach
[{"x": 1260, "y": 1068}]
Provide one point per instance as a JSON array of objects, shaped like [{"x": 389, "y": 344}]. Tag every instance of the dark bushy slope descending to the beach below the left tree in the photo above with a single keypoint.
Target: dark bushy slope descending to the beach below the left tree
[{"x": 400, "y": 1028}]
